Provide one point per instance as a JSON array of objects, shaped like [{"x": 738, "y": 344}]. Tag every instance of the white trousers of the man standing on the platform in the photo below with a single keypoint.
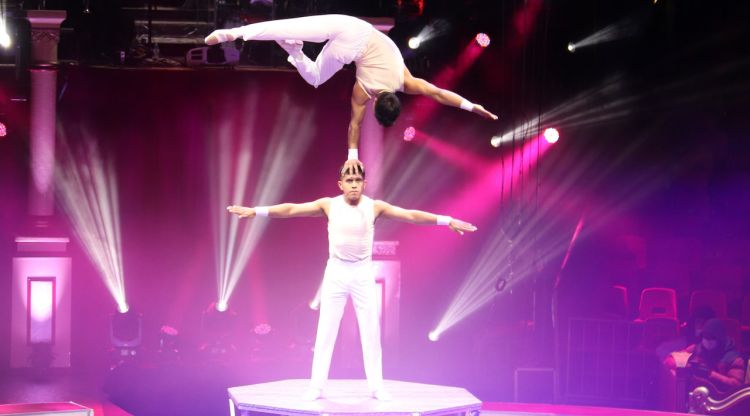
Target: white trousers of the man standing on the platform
[{"x": 341, "y": 280}]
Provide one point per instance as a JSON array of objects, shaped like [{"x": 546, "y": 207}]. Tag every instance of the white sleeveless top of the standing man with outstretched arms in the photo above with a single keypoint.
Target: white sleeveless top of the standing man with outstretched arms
[{"x": 351, "y": 229}]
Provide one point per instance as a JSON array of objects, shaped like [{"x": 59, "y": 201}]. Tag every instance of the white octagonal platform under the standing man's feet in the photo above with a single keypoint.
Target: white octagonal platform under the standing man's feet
[{"x": 351, "y": 397}]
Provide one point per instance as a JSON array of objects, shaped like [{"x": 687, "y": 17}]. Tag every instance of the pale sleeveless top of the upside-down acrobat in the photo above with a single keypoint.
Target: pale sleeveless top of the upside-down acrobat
[{"x": 380, "y": 67}]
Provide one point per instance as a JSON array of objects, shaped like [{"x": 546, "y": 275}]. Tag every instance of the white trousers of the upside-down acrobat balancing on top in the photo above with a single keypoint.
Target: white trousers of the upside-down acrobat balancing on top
[{"x": 347, "y": 38}]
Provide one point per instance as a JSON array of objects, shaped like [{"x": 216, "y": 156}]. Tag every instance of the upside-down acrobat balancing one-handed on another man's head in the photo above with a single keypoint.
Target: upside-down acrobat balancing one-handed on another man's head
[{"x": 380, "y": 67}]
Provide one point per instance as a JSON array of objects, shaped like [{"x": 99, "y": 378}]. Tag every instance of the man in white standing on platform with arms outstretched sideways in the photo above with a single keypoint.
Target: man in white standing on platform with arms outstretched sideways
[{"x": 349, "y": 270}]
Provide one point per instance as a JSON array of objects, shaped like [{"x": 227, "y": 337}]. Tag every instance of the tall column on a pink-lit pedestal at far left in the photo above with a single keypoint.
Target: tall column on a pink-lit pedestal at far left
[{"x": 41, "y": 281}]
